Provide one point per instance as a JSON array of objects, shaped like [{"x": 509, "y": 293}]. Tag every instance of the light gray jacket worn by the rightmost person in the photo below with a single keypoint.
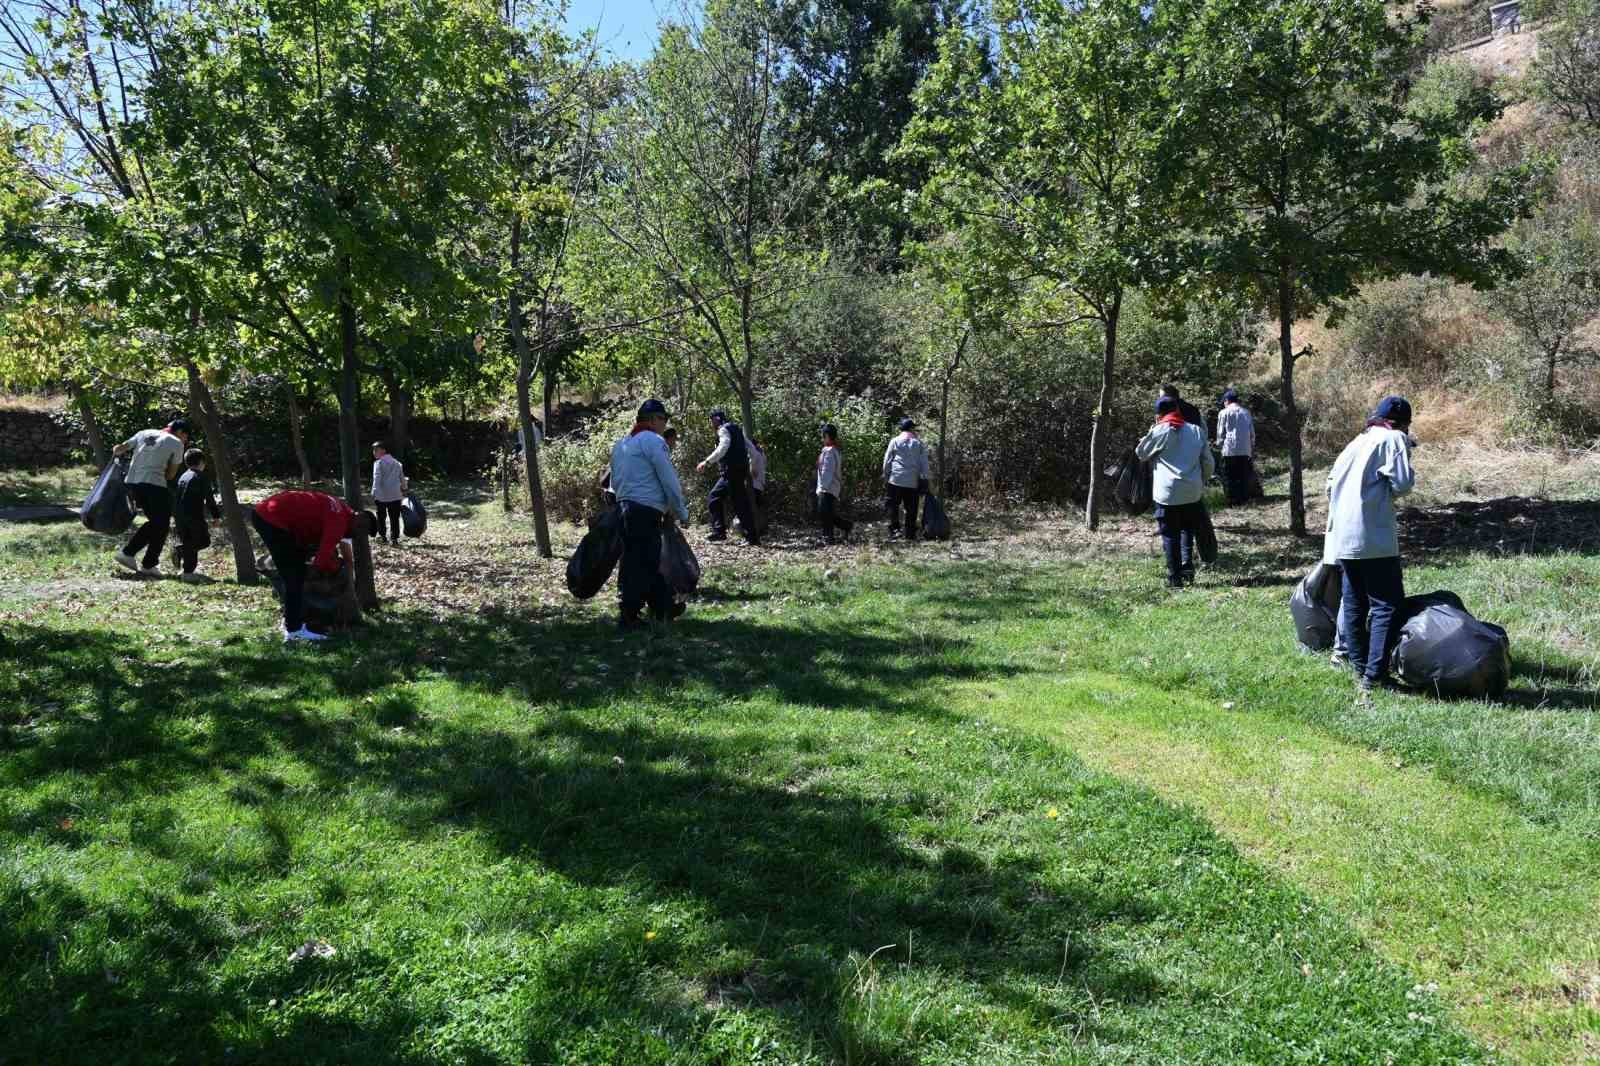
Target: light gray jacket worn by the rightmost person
[{"x": 1369, "y": 475}]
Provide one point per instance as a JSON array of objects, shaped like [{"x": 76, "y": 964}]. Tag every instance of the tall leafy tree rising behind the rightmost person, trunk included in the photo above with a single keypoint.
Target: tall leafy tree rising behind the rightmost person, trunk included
[{"x": 1308, "y": 175}]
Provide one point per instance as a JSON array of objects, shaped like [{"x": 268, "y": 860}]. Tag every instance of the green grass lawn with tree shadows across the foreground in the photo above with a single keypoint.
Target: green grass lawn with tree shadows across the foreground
[{"x": 1002, "y": 801}]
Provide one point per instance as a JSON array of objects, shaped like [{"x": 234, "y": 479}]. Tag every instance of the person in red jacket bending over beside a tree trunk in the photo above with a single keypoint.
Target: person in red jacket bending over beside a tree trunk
[{"x": 295, "y": 524}]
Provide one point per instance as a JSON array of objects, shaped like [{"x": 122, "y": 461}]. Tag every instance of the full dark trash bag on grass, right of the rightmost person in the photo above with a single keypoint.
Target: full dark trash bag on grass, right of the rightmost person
[{"x": 1450, "y": 654}]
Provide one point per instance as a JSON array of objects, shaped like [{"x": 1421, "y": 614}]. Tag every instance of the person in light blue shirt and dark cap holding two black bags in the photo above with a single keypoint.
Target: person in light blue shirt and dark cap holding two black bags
[{"x": 649, "y": 492}]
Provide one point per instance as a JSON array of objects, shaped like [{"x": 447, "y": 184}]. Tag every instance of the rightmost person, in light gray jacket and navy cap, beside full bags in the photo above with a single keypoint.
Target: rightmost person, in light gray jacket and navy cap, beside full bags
[{"x": 1364, "y": 539}]
